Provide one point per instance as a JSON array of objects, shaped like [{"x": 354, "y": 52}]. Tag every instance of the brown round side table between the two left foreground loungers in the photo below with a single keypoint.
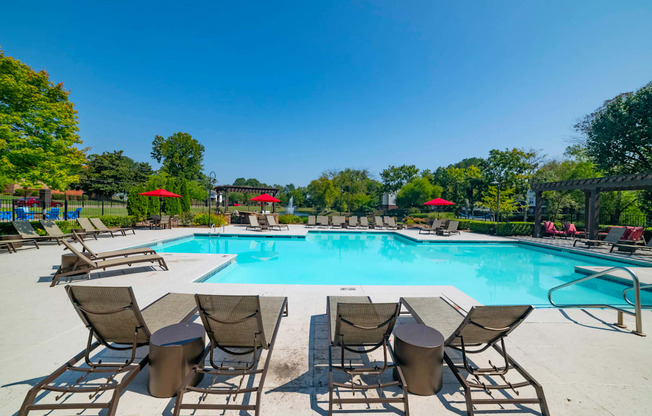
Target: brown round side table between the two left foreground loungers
[{"x": 173, "y": 351}]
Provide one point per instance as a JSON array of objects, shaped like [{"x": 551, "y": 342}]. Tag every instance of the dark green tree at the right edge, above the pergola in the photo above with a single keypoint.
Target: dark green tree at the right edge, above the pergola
[{"x": 619, "y": 134}]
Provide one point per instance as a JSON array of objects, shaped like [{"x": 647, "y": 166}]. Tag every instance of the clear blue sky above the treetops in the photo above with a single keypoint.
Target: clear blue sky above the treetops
[{"x": 281, "y": 91}]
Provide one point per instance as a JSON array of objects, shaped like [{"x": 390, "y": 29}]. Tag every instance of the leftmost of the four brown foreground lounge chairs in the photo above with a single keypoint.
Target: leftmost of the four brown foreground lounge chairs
[{"x": 114, "y": 319}]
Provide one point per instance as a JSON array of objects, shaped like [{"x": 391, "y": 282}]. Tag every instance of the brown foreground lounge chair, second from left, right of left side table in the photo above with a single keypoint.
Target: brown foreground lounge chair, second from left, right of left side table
[{"x": 236, "y": 325}]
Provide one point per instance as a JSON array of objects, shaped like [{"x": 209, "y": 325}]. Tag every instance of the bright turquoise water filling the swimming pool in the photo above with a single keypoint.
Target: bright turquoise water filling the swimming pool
[{"x": 504, "y": 273}]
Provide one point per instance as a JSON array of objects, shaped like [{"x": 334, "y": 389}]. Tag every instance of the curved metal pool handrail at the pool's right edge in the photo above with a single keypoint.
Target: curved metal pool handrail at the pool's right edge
[{"x": 636, "y": 287}]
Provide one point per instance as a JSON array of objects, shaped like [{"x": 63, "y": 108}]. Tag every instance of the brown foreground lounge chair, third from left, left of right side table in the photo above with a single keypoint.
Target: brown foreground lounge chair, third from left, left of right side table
[{"x": 359, "y": 326}]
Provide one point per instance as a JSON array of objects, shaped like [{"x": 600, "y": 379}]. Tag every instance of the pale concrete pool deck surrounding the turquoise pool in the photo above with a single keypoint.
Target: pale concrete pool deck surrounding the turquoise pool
[{"x": 586, "y": 365}]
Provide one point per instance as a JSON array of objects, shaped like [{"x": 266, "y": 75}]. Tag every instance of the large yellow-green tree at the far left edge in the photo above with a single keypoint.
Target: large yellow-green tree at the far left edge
[{"x": 38, "y": 128}]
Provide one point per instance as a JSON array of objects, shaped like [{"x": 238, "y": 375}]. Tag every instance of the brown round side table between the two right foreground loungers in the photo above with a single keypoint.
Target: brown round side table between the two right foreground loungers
[{"x": 419, "y": 351}]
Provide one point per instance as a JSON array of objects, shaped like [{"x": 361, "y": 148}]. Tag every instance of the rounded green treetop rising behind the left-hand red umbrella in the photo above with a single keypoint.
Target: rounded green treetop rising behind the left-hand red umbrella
[{"x": 180, "y": 154}]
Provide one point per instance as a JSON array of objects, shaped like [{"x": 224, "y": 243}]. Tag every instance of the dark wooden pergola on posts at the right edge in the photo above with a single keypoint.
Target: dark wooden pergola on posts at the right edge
[{"x": 591, "y": 188}]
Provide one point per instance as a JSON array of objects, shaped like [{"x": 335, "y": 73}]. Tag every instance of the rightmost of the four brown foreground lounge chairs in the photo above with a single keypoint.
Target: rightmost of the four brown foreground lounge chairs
[{"x": 482, "y": 328}]
